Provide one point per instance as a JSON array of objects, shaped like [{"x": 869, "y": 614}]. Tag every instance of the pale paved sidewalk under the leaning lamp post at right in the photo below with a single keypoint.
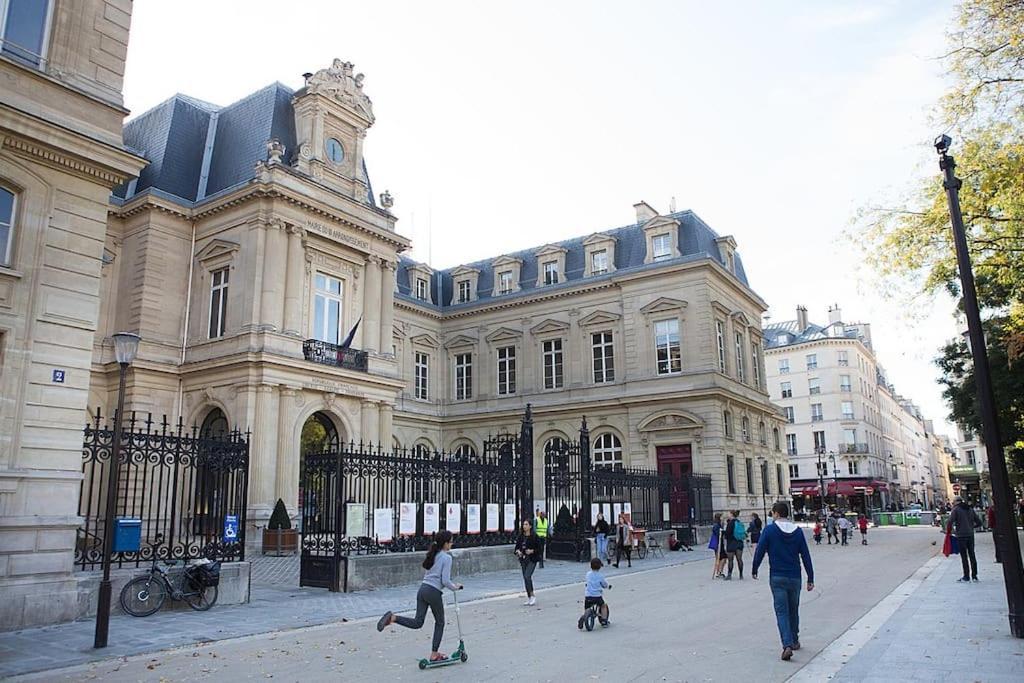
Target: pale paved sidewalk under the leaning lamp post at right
[{"x": 943, "y": 631}]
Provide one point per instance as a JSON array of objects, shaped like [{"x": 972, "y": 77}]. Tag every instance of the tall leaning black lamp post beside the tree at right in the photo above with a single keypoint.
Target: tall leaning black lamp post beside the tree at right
[{"x": 1006, "y": 532}]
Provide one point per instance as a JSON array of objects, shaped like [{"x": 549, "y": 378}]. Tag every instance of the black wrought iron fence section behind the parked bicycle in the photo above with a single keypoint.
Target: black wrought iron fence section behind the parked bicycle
[{"x": 179, "y": 482}]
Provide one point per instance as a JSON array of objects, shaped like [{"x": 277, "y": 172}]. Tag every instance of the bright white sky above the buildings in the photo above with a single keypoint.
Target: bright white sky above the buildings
[{"x": 504, "y": 126}]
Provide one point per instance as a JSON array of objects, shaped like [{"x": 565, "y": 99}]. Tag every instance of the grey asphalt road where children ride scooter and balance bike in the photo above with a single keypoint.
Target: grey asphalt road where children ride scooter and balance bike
[{"x": 673, "y": 624}]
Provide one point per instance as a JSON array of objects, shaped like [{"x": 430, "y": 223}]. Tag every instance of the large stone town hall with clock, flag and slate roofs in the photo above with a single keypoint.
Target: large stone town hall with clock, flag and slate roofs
[{"x": 252, "y": 245}]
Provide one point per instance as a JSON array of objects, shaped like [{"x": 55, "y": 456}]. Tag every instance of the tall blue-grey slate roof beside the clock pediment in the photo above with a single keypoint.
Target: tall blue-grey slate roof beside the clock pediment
[{"x": 175, "y": 137}]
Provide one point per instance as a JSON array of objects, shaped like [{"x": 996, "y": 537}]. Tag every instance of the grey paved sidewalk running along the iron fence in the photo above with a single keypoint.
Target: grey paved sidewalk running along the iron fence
[{"x": 273, "y": 608}]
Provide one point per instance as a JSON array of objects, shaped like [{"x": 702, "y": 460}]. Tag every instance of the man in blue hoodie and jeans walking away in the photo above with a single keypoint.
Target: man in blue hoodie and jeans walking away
[{"x": 786, "y": 546}]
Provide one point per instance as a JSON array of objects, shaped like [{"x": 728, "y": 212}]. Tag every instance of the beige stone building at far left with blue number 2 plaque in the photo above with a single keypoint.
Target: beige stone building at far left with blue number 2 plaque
[{"x": 61, "y": 154}]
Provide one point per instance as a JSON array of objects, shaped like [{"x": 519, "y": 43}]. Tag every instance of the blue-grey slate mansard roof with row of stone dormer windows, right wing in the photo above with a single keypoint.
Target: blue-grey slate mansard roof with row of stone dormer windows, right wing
[{"x": 697, "y": 241}]
